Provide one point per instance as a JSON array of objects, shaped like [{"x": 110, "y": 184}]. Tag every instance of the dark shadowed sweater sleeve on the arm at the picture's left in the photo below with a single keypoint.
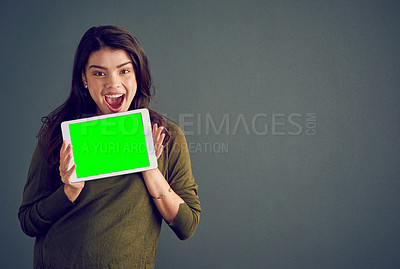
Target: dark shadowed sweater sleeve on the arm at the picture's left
[{"x": 43, "y": 202}]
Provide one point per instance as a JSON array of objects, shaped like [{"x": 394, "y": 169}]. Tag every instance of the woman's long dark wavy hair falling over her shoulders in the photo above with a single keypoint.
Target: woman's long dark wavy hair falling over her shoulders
[{"x": 80, "y": 104}]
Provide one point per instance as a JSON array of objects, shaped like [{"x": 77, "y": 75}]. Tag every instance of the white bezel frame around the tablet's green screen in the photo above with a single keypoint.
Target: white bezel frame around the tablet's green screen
[{"x": 147, "y": 134}]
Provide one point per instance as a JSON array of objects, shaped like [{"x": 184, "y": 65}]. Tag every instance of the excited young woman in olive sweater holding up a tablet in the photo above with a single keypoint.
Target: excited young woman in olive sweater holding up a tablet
[{"x": 113, "y": 222}]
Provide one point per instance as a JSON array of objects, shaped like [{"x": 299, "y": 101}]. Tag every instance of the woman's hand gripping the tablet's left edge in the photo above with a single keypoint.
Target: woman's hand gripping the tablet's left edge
[{"x": 71, "y": 189}]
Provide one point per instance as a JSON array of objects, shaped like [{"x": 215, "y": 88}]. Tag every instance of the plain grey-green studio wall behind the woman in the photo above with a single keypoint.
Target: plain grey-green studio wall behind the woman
[{"x": 290, "y": 109}]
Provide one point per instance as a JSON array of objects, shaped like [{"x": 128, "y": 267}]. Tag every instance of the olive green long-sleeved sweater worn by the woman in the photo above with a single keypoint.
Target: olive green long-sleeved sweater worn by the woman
[{"x": 114, "y": 222}]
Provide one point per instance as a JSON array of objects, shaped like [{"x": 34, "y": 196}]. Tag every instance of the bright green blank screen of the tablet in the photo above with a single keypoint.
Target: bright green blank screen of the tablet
[{"x": 108, "y": 145}]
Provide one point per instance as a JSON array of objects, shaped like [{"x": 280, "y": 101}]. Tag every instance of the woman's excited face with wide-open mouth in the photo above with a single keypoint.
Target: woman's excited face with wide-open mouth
[{"x": 111, "y": 80}]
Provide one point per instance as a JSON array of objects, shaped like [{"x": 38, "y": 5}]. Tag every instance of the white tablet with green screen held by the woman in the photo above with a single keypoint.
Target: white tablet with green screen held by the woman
[{"x": 110, "y": 145}]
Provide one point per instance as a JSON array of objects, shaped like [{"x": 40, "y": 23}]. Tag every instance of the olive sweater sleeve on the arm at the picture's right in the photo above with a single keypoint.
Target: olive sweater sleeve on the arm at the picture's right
[{"x": 182, "y": 182}]
